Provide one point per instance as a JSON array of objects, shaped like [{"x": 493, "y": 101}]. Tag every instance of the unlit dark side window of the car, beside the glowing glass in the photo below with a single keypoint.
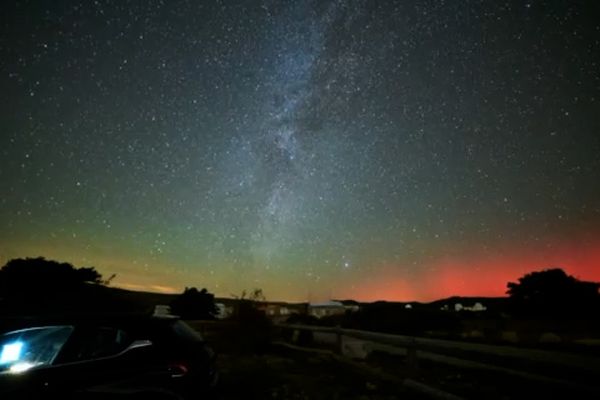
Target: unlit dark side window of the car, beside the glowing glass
[{"x": 97, "y": 342}]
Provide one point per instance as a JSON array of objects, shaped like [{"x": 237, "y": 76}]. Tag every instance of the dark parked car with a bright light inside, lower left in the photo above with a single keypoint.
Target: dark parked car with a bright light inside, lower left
[{"x": 106, "y": 357}]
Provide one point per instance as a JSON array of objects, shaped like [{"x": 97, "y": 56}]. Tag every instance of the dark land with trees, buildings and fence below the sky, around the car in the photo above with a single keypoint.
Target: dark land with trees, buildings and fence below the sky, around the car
[{"x": 545, "y": 310}]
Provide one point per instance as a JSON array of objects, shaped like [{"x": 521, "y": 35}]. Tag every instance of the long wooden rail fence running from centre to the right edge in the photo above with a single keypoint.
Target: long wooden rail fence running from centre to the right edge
[{"x": 576, "y": 371}]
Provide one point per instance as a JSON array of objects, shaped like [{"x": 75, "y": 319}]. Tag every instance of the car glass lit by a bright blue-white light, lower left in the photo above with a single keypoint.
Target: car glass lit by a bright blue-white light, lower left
[{"x": 28, "y": 348}]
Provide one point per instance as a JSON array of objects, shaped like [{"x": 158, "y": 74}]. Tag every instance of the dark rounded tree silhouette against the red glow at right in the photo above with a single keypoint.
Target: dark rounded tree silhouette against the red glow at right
[{"x": 552, "y": 292}]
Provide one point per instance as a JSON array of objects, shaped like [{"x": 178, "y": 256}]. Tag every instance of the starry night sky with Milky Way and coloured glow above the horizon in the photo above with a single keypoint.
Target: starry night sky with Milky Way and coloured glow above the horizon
[{"x": 315, "y": 149}]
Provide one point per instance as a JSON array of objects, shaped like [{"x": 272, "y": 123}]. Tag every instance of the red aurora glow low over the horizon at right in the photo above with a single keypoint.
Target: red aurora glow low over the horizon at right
[{"x": 481, "y": 275}]
